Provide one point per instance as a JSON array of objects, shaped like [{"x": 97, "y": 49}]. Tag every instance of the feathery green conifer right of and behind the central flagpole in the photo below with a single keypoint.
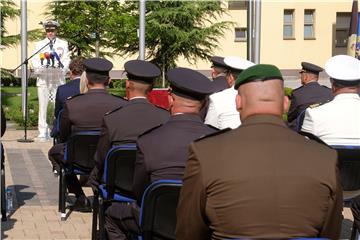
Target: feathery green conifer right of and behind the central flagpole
[{"x": 174, "y": 29}]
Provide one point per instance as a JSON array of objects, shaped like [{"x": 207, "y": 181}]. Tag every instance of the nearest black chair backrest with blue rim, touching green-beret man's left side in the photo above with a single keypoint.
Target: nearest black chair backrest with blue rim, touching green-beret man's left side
[{"x": 158, "y": 209}]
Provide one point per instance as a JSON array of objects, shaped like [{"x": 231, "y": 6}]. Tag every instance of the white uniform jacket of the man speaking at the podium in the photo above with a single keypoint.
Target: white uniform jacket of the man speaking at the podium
[{"x": 60, "y": 47}]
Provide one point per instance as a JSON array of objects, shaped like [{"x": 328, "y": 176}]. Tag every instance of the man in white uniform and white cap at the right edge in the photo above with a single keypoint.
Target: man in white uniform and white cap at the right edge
[{"x": 338, "y": 121}]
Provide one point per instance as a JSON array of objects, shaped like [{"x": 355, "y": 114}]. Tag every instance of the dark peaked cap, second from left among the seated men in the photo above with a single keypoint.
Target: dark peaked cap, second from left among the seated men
[{"x": 140, "y": 70}]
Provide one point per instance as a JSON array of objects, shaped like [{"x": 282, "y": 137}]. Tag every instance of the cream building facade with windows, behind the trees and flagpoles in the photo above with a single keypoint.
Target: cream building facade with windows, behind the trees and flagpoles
[{"x": 292, "y": 31}]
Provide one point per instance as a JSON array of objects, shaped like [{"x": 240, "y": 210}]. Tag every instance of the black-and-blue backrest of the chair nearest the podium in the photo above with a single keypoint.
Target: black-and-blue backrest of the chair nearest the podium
[{"x": 80, "y": 149}]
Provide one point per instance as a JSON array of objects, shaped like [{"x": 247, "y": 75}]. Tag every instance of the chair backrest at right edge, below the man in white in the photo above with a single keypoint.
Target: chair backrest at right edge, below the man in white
[{"x": 349, "y": 166}]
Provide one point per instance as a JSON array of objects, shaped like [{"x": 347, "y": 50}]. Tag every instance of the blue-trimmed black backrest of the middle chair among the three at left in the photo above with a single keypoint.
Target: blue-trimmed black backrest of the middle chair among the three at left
[{"x": 119, "y": 170}]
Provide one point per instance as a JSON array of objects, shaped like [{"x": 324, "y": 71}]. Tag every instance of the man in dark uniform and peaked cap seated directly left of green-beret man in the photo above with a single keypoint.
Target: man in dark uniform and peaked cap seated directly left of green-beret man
[{"x": 166, "y": 159}]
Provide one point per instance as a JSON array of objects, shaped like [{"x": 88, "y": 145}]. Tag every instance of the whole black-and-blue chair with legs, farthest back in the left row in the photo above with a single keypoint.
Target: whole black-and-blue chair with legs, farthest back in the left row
[{"x": 79, "y": 159}]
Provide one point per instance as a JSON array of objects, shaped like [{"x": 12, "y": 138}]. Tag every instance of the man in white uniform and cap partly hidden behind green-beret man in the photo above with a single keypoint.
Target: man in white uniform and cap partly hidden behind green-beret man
[{"x": 222, "y": 111}]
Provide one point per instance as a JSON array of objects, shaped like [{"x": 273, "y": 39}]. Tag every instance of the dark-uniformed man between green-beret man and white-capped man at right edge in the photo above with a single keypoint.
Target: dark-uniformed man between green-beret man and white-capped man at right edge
[{"x": 309, "y": 93}]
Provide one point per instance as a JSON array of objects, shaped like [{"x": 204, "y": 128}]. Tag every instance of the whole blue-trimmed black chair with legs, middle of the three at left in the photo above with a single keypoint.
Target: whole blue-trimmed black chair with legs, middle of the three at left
[{"x": 117, "y": 182}]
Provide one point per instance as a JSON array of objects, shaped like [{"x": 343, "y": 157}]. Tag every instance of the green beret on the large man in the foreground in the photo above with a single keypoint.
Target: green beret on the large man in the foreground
[{"x": 259, "y": 72}]
